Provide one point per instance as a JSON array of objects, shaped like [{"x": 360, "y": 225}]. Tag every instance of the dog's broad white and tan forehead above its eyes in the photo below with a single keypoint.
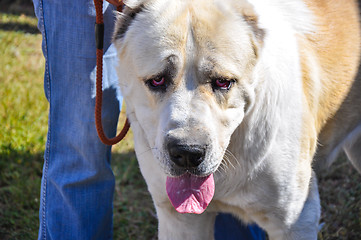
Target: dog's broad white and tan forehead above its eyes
[{"x": 198, "y": 33}]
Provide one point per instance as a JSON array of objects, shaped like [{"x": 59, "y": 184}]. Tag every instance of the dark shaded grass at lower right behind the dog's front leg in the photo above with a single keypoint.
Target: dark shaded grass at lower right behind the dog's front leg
[{"x": 340, "y": 191}]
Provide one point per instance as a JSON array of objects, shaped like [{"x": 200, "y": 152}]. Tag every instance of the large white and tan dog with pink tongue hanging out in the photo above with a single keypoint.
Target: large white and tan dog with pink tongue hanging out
[{"x": 231, "y": 102}]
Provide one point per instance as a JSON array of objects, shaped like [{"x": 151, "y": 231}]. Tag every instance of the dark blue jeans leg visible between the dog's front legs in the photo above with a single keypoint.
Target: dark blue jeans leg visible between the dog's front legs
[{"x": 229, "y": 228}]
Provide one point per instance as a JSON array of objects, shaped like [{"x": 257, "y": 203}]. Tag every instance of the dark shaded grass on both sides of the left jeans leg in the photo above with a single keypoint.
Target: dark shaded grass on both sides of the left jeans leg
[{"x": 20, "y": 179}]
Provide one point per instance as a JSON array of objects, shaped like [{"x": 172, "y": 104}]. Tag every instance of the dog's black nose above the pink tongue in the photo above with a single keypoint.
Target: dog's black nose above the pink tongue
[{"x": 186, "y": 156}]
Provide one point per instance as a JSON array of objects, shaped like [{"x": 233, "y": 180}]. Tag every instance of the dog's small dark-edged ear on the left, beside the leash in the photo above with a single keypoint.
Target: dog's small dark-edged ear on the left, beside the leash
[{"x": 125, "y": 18}]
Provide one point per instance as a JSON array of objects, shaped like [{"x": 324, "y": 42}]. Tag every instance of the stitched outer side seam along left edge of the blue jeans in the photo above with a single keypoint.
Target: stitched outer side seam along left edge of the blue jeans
[{"x": 47, "y": 152}]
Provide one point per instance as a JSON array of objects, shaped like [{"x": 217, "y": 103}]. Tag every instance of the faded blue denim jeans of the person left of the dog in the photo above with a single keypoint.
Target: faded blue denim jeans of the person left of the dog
[{"x": 78, "y": 183}]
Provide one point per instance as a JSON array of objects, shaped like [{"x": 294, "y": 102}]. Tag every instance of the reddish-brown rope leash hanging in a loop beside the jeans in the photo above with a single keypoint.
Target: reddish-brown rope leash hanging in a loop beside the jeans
[{"x": 99, "y": 35}]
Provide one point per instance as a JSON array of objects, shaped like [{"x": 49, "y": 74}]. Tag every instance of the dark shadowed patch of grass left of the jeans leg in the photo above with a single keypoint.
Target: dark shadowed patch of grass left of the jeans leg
[{"x": 20, "y": 174}]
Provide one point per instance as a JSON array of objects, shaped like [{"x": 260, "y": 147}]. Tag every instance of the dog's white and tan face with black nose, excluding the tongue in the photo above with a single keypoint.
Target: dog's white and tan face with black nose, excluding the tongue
[{"x": 186, "y": 70}]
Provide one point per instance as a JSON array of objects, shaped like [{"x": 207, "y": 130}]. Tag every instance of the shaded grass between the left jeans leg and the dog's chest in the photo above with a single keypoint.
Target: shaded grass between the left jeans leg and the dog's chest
[{"x": 134, "y": 213}]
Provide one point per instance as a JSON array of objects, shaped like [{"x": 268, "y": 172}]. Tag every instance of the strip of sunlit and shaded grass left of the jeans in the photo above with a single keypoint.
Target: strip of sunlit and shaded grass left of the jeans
[{"x": 23, "y": 122}]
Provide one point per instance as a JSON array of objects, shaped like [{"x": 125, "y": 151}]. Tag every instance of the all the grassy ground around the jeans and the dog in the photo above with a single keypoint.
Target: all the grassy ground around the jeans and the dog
[{"x": 23, "y": 121}]
